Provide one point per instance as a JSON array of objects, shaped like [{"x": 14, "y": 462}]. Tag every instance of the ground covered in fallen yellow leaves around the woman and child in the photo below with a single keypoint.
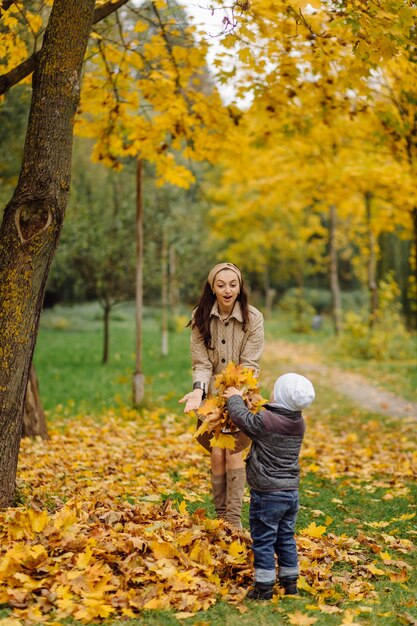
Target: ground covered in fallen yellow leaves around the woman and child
[{"x": 114, "y": 520}]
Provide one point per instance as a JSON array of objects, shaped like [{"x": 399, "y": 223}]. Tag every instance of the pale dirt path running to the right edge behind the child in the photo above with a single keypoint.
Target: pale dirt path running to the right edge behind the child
[{"x": 306, "y": 360}]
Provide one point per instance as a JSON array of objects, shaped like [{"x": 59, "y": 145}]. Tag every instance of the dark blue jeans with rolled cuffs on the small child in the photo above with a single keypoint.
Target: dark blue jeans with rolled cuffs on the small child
[{"x": 272, "y": 518}]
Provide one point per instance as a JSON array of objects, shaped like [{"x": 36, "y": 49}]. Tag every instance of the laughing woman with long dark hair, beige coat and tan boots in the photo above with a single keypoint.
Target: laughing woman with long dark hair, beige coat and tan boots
[{"x": 224, "y": 328}]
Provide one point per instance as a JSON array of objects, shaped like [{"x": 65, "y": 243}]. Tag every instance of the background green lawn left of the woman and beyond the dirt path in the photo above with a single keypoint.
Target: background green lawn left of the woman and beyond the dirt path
[{"x": 70, "y": 346}]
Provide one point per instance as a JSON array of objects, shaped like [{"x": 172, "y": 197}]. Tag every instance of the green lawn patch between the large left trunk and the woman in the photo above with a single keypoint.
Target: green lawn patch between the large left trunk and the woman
[{"x": 69, "y": 353}]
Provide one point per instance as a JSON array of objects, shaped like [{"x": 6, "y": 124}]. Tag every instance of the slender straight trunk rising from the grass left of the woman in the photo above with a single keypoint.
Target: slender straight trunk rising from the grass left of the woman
[{"x": 138, "y": 377}]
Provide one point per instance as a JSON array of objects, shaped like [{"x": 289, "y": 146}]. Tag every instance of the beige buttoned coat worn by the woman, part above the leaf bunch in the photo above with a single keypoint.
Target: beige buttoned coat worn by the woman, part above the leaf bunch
[{"x": 230, "y": 344}]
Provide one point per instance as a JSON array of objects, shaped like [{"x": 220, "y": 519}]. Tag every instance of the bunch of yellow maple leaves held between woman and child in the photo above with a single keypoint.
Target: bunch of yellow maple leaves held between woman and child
[{"x": 213, "y": 411}]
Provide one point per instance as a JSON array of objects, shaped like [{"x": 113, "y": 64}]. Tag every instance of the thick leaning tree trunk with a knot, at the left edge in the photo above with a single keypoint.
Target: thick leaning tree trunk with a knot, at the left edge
[{"x": 33, "y": 218}]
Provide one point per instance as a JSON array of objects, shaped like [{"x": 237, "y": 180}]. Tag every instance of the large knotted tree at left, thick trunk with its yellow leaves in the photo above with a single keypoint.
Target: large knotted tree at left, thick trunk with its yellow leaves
[{"x": 33, "y": 218}]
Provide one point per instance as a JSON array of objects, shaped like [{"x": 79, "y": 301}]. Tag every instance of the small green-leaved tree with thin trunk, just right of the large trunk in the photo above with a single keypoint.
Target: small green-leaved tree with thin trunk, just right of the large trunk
[{"x": 96, "y": 253}]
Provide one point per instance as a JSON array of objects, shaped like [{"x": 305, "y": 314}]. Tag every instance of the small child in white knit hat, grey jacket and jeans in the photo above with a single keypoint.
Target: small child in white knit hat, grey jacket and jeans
[{"x": 272, "y": 469}]
